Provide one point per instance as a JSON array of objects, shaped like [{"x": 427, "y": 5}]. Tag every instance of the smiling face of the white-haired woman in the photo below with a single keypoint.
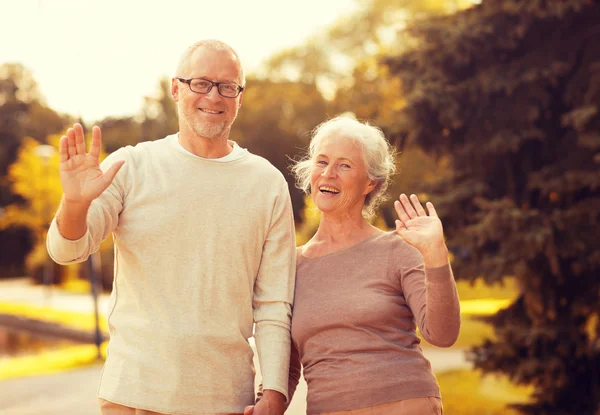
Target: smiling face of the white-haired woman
[{"x": 339, "y": 181}]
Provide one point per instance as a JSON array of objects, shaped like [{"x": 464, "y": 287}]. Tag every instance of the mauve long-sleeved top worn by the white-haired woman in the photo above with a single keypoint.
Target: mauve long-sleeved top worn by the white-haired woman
[{"x": 354, "y": 324}]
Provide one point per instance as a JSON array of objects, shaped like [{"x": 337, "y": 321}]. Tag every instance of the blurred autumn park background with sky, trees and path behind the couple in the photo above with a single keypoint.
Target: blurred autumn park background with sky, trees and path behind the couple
[{"x": 493, "y": 106}]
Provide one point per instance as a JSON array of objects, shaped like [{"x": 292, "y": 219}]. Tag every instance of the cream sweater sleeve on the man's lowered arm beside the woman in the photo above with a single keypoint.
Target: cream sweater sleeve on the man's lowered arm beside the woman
[{"x": 274, "y": 293}]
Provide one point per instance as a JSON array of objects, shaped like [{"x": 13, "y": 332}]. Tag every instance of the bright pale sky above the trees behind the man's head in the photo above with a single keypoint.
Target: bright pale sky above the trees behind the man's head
[{"x": 95, "y": 58}]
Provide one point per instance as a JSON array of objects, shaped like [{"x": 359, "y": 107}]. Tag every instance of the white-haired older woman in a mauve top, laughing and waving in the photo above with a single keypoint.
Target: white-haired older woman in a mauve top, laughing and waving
[{"x": 361, "y": 292}]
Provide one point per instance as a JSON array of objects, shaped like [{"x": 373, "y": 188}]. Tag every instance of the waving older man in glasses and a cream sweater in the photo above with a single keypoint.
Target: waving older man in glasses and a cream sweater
[{"x": 204, "y": 251}]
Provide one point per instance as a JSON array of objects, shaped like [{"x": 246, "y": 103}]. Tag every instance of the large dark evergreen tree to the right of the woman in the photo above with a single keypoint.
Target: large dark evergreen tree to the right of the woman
[{"x": 510, "y": 91}]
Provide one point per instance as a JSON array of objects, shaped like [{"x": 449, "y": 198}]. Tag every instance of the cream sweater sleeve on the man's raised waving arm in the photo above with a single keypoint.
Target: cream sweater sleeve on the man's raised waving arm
[{"x": 102, "y": 219}]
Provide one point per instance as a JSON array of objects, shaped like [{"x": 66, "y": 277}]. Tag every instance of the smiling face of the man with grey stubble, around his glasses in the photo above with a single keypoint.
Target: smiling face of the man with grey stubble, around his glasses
[{"x": 208, "y": 115}]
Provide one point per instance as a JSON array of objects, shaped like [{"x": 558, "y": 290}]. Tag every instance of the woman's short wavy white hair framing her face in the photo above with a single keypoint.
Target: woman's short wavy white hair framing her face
[{"x": 379, "y": 156}]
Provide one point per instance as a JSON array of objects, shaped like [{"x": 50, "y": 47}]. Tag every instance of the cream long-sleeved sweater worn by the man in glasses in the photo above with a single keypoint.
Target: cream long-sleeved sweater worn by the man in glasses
[{"x": 203, "y": 250}]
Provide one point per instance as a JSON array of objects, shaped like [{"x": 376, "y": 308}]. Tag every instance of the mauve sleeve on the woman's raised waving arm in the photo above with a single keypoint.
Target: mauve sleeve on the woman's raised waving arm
[{"x": 432, "y": 297}]
